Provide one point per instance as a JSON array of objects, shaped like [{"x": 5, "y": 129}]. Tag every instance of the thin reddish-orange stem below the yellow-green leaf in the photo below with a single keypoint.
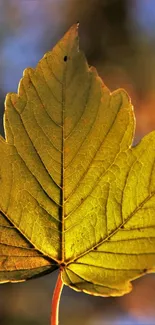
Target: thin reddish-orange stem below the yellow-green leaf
[{"x": 56, "y": 301}]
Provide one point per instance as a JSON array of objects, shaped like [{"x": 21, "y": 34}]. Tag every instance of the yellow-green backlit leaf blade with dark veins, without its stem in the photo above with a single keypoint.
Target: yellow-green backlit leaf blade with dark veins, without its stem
[{"x": 74, "y": 193}]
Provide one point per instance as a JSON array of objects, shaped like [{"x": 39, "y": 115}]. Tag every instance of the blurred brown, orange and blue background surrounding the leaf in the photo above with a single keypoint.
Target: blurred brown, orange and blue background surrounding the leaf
[{"x": 118, "y": 37}]
